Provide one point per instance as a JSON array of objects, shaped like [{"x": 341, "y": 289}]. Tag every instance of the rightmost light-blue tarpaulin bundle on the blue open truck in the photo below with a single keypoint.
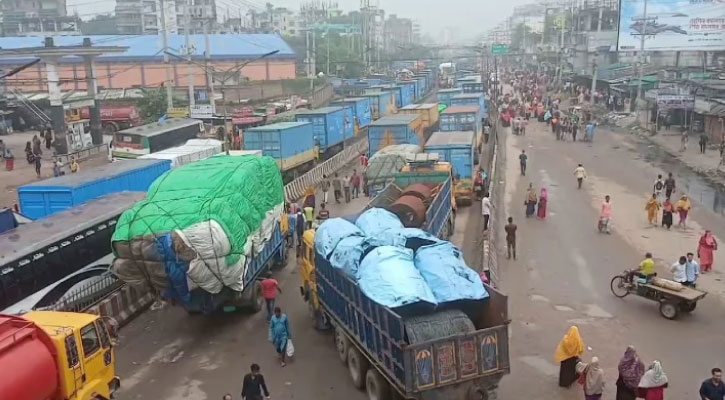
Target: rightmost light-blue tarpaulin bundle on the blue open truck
[{"x": 446, "y": 273}]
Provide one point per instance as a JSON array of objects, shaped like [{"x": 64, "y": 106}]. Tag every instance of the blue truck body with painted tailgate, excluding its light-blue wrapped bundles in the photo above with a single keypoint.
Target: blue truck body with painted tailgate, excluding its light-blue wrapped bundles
[{"x": 458, "y": 351}]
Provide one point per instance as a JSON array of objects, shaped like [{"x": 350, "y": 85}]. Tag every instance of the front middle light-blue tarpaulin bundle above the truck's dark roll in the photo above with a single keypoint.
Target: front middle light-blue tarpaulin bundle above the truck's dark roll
[{"x": 389, "y": 277}]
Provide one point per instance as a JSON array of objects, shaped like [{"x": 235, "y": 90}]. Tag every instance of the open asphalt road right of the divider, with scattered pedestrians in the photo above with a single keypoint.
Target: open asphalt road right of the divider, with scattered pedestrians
[{"x": 564, "y": 267}]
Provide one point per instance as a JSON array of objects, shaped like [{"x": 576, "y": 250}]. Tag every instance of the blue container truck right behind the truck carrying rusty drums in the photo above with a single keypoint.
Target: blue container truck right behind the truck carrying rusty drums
[{"x": 458, "y": 148}]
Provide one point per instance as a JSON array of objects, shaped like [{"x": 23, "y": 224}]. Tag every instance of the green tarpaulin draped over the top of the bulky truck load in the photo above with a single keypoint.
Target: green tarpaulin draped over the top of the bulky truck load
[{"x": 235, "y": 191}]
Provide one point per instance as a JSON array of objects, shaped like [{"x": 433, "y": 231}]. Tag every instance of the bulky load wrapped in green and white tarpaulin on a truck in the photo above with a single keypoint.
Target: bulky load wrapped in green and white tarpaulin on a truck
[{"x": 199, "y": 226}]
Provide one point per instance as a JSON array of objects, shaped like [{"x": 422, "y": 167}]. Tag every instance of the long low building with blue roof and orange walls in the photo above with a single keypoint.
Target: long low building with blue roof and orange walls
[{"x": 142, "y": 65}]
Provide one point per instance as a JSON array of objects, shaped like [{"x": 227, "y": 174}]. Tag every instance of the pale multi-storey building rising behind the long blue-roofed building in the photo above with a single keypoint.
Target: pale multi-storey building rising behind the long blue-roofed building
[{"x": 136, "y": 17}]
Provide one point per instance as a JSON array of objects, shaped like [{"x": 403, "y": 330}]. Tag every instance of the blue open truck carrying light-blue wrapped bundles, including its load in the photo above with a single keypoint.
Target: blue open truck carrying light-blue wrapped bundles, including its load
[{"x": 411, "y": 319}]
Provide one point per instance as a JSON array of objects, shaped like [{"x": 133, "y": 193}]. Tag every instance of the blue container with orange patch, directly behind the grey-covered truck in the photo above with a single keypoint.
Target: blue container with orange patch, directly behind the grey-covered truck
[{"x": 397, "y": 129}]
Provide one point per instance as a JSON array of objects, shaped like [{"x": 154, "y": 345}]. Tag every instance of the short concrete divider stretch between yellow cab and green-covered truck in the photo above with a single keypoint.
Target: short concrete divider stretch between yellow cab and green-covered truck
[{"x": 123, "y": 305}]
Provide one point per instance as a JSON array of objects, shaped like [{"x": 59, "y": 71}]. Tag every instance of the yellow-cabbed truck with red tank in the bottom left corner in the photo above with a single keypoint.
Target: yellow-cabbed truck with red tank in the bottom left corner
[{"x": 49, "y": 355}]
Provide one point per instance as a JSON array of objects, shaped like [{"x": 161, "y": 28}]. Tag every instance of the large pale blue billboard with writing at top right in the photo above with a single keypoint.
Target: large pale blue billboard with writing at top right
[{"x": 672, "y": 25}]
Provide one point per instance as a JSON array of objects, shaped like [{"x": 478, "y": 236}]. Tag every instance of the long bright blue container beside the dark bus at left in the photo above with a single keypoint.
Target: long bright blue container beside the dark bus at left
[{"x": 49, "y": 196}]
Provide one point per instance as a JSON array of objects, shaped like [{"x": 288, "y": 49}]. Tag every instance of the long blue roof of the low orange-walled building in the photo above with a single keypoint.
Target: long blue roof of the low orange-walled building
[{"x": 148, "y": 47}]
